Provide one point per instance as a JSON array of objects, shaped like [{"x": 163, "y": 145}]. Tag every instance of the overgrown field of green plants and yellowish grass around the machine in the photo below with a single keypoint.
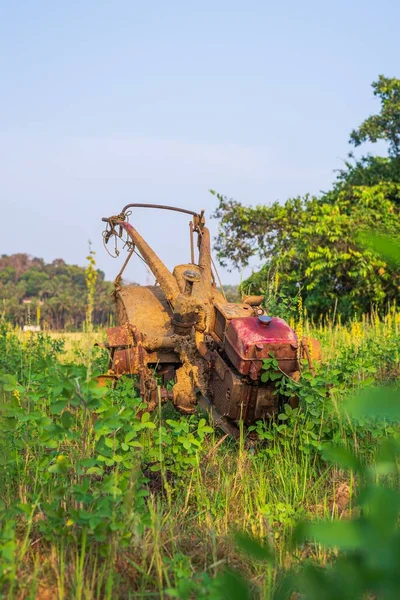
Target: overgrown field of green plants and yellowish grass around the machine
[{"x": 99, "y": 499}]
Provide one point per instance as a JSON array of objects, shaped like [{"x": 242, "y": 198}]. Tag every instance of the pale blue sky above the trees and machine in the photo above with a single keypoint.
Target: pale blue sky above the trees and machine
[{"x": 105, "y": 103}]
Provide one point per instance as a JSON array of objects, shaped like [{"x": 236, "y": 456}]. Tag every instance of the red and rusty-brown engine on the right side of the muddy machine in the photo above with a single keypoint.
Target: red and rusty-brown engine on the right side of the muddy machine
[{"x": 244, "y": 343}]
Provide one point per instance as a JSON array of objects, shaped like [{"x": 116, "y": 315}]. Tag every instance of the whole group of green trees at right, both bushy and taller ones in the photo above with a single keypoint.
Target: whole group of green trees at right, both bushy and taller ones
[{"x": 315, "y": 245}]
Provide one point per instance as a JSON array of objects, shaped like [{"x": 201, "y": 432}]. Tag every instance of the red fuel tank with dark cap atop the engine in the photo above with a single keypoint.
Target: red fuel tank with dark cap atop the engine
[{"x": 249, "y": 340}]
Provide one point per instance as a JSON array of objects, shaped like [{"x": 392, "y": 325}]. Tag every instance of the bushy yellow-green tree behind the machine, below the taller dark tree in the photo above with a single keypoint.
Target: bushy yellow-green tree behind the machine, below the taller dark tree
[{"x": 311, "y": 244}]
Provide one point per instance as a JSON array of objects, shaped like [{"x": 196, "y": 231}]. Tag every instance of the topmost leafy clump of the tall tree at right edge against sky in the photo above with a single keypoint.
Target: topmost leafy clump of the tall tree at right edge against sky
[{"x": 385, "y": 125}]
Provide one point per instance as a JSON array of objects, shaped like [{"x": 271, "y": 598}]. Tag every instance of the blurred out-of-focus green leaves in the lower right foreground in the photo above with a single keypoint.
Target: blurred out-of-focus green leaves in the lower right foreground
[{"x": 367, "y": 547}]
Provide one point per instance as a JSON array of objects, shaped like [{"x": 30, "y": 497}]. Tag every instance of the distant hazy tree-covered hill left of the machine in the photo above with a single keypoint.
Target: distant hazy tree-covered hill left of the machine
[{"x": 53, "y": 295}]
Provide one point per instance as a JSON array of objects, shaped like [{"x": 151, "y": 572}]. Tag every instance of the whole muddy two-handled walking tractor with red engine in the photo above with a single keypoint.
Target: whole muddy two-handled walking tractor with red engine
[{"x": 183, "y": 330}]
